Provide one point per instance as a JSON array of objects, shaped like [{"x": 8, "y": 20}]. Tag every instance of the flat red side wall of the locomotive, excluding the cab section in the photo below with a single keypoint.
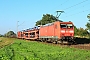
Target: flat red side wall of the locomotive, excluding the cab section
[{"x": 47, "y": 31}]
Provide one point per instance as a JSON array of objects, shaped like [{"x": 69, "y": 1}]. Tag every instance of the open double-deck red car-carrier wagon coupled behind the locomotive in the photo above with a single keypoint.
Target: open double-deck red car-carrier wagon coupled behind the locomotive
[{"x": 29, "y": 34}]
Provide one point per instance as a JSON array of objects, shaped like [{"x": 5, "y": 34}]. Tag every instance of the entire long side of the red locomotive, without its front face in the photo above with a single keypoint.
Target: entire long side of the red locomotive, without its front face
[{"x": 50, "y": 32}]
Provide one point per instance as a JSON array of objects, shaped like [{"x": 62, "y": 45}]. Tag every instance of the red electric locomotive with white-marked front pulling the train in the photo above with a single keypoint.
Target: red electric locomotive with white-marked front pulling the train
[{"x": 57, "y": 32}]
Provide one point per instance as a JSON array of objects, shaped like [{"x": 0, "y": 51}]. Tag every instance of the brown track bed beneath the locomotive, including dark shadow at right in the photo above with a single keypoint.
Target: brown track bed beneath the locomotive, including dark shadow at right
[{"x": 81, "y": 43}]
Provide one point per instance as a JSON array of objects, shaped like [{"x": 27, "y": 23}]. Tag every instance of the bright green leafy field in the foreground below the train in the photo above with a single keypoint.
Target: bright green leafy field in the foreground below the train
[{"x": 29, "y": 50}]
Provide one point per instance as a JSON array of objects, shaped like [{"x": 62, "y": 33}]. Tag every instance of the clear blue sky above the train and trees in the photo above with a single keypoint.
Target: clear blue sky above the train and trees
[{"x": 30, "y": 11}]
